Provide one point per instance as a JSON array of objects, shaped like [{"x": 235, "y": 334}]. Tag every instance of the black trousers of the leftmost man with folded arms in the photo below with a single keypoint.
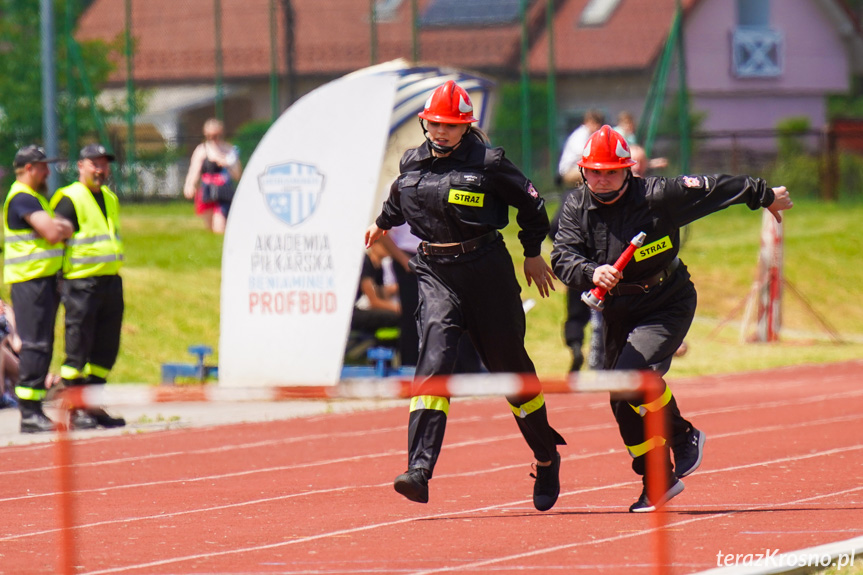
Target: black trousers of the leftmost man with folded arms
[{"x": 35, "y": 303}]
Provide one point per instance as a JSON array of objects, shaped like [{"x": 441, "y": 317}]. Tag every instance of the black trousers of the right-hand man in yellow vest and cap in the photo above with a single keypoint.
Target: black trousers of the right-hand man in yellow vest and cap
[{"x": 94, "y": 315}]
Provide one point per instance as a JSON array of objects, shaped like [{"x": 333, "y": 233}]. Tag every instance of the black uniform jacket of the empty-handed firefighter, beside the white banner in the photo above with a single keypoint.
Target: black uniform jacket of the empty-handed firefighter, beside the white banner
[{"x": 463, "y": 196}]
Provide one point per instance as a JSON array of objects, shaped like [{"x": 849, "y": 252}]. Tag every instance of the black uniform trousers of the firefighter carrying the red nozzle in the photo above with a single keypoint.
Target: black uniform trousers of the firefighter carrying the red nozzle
[{"x": 643, "y": 332}]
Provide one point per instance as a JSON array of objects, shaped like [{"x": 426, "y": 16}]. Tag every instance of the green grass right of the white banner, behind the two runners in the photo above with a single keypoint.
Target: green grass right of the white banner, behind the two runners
[{"x": 822, "y": 253}]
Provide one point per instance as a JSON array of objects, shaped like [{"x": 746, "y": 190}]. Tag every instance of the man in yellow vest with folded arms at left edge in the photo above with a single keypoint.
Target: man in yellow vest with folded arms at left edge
[{"x": 33, "y": 256}]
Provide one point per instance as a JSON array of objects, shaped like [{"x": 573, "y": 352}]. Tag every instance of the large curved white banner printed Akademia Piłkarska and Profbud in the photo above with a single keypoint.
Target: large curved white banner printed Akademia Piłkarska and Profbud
[{"x": 293, "y": 247}]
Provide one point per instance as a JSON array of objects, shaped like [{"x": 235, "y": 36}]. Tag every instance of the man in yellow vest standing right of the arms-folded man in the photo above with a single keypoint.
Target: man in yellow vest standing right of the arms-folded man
[{"x": 91, "y": 290}]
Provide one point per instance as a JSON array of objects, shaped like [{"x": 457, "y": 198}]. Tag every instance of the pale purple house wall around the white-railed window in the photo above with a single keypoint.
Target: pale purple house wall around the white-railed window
[{"x": 815, "y": 64}]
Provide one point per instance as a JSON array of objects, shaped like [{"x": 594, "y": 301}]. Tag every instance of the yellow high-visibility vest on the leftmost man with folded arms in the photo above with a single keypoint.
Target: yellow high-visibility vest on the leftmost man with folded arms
[{"x": 27, "y": 254}]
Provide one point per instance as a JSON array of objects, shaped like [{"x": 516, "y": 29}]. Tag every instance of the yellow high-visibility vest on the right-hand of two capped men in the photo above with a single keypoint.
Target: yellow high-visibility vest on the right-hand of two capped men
[{"x": 95, "y": 249}]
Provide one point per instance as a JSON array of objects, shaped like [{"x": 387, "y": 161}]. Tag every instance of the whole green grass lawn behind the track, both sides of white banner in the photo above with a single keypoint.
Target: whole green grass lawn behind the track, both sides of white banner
[{"x": 172, "y": 277}]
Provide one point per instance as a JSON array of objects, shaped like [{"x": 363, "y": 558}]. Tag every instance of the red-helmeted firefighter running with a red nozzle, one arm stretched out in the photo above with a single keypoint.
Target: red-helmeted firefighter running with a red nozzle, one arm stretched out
[{"x": 650, "y": 305}]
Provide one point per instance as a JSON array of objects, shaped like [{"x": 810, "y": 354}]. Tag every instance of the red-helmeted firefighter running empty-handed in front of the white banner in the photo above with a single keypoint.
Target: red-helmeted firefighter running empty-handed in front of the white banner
[{"x": 455, "y": 192}]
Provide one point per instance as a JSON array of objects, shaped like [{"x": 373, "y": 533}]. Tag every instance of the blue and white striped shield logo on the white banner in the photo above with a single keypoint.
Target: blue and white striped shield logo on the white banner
[{"x": 291, "y": 191}]
